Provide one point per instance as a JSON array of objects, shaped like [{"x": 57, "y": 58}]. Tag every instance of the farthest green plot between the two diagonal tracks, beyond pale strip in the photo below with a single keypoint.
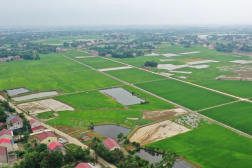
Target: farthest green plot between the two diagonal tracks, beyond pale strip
[{"x": 99, "y": 63}]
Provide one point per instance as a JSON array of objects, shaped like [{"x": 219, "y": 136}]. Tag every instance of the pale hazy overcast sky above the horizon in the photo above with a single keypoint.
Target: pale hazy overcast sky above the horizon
[{"x": 124, "y": 12}]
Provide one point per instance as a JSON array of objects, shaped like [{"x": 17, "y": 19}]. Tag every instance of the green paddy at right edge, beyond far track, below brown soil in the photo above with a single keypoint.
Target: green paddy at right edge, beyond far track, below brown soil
[{"x": 237, "y": 88}]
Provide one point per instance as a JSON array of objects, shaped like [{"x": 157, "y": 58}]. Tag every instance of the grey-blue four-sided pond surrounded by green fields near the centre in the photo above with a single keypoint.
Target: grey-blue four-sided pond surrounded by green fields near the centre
[{"x": 122, "y": 96}]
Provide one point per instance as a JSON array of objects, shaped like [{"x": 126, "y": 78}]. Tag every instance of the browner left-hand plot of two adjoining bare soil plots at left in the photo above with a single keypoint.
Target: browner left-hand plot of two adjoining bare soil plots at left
[{"x": 33, "y": 107}]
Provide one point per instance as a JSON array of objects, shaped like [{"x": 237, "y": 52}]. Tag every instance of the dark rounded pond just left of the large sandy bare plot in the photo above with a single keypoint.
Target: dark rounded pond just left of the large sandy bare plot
[{"x": 111, "y": 131}]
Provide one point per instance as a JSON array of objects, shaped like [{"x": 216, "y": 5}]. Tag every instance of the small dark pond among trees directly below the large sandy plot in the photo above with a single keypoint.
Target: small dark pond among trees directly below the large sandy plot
[{"x": 152, "y": 157}]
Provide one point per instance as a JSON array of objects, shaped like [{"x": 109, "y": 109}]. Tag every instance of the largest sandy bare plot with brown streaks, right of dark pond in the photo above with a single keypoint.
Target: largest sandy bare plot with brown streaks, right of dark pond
[{"x": 157, "y": 131}]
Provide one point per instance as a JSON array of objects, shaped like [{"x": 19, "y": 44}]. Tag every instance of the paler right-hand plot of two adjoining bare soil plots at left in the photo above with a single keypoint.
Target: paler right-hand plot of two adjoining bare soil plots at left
[{"x": 55, "y": 105}]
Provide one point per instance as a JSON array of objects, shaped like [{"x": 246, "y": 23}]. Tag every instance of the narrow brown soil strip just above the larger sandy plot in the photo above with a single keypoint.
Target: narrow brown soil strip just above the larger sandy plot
[{"x": 159, "y": 115}]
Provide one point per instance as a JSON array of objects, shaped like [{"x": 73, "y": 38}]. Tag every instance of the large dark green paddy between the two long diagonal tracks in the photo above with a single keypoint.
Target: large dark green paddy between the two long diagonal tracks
[{"x": 184, "y": 94}]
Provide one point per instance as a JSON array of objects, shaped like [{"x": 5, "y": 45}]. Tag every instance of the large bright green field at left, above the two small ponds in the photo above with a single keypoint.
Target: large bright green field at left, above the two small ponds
[{"x": 52, "y": 72}]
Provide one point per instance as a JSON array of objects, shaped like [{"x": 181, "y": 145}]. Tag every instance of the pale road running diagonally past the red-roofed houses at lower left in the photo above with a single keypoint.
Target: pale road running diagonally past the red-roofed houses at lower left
[{"x": 69, "y": 138}]
